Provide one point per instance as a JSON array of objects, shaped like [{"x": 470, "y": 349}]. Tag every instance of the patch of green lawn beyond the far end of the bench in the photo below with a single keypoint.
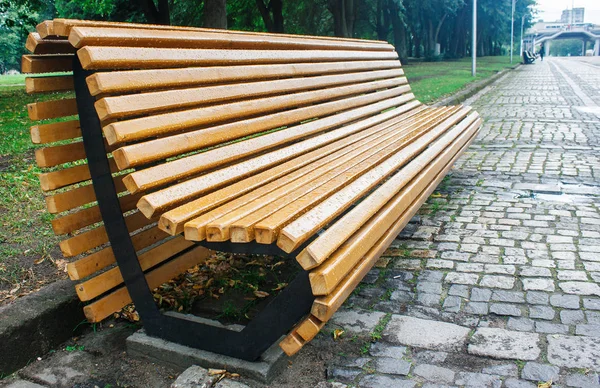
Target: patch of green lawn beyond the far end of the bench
[{"x": 434, "y": 80}]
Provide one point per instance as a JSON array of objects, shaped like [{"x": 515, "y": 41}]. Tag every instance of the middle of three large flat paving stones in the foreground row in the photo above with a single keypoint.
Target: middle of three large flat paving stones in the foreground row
[{"x": 504, "y": 344}]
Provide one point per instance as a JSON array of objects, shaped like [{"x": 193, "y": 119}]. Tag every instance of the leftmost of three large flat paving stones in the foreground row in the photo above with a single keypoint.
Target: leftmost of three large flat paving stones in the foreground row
[{"x": 423, "y": 333}]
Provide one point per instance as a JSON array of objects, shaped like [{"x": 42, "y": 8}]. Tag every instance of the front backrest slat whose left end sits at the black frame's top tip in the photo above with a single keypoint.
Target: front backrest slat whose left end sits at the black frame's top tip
[{"x": 99, "y": 58}]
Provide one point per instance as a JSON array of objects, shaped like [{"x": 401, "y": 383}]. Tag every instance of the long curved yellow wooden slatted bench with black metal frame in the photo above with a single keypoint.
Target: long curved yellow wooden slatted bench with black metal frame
[{"x": 185, "y": 140}]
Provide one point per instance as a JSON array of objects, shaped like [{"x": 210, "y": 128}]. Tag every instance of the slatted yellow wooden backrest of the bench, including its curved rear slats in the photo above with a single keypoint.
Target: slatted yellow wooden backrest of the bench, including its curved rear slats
[{"x": 176, "y": 104}]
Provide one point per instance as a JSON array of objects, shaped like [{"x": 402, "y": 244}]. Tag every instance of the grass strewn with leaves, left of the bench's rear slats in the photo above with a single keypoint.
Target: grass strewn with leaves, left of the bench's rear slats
[{"x": 28, "y": 247}]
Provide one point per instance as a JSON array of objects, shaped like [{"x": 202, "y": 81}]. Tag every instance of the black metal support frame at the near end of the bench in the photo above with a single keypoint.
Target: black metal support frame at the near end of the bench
[{"x": 275, "y": 320}]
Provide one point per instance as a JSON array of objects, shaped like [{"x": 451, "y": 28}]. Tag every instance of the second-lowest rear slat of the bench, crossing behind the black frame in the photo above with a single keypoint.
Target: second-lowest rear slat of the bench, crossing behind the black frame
[{"x": 112, "y": 278}]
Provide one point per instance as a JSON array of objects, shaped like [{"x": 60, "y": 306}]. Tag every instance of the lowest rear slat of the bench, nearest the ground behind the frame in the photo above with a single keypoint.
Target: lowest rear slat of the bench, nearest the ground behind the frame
[{"x": 97, "y": 311}]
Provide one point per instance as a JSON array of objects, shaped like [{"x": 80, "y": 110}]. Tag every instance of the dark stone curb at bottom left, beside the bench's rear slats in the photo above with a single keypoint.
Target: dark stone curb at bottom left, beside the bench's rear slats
[{"x": 33, "y": 325}]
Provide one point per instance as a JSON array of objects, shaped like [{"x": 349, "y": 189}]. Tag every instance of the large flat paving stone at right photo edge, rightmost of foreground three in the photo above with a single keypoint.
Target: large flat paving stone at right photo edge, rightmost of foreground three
[{"x": 574, "y": 352}]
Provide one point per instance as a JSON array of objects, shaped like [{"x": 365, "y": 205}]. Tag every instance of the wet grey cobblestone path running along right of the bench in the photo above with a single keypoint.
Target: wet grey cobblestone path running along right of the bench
[{"x": 496, "y": 282}]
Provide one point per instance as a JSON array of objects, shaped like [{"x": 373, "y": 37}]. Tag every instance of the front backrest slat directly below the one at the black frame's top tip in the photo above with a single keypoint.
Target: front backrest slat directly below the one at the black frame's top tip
[{"x": 143, "y": 80}]
